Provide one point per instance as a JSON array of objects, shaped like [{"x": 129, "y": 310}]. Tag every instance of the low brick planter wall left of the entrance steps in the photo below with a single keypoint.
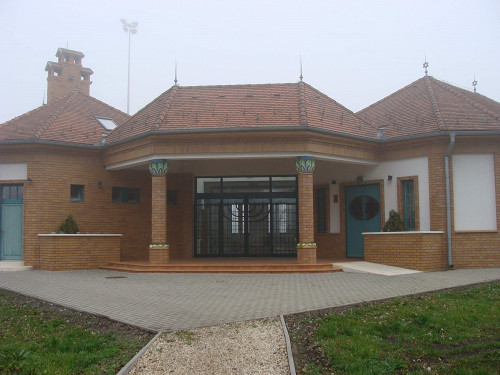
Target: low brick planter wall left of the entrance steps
[{"x": 60, "y": 252}]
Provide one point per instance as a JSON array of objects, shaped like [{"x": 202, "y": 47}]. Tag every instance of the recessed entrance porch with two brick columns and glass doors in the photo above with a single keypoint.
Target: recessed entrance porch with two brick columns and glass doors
[{"x": 242, "y": 212}]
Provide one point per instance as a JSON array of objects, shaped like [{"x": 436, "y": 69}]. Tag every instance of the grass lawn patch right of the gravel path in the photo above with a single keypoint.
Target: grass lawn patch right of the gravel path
[{"x": 448, "y": 332}]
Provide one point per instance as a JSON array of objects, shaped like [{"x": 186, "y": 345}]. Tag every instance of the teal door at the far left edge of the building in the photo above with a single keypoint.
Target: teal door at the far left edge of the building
[{"x": 11, "y": 222}]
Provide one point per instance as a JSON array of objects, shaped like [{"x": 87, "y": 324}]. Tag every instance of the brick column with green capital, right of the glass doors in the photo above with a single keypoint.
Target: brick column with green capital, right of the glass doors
[{"x": 306, "y": 248}]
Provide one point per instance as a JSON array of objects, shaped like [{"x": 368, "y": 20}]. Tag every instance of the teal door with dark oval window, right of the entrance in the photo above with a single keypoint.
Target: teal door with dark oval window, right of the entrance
[{"x": 362, "y": 215}]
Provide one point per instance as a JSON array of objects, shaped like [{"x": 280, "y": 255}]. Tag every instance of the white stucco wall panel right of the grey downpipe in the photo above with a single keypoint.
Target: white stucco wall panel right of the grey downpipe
[{"x": 474, "y": 192}]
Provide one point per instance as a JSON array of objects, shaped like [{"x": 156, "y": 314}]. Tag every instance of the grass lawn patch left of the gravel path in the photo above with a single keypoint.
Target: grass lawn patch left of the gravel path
[{"x": 40, "y": 338}]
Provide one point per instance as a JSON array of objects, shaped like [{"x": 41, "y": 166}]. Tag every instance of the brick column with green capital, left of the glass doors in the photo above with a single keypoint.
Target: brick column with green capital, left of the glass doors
[{"x": 159, "y": 249}]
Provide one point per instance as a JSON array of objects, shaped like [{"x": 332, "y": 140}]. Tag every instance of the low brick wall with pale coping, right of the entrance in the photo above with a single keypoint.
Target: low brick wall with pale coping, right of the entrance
[{"x": 423, "y": 251}]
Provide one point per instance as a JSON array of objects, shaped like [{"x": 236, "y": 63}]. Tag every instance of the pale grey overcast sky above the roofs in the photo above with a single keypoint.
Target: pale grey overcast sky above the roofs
[{"x": 356, "y": 52}]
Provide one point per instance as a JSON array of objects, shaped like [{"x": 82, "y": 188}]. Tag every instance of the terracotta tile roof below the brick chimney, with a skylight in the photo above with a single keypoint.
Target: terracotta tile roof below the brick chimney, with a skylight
[{"x": 68, "y": 119}]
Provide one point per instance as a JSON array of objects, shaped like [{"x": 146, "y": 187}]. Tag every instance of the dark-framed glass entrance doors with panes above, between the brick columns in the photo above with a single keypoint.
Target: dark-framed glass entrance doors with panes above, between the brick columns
[{"x": 246, "y": 216}]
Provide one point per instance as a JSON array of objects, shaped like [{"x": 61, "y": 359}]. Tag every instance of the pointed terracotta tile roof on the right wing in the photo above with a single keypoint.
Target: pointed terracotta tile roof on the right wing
[{"x": 429, "y": 105}]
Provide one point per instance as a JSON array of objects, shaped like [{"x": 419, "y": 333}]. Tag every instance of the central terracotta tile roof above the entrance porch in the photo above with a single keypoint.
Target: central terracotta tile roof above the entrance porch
[{"x": 242, "y": 106}]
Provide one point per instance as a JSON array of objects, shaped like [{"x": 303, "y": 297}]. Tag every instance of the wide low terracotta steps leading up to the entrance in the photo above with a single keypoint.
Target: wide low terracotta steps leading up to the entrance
[{"x": 245, "y": 265}]
